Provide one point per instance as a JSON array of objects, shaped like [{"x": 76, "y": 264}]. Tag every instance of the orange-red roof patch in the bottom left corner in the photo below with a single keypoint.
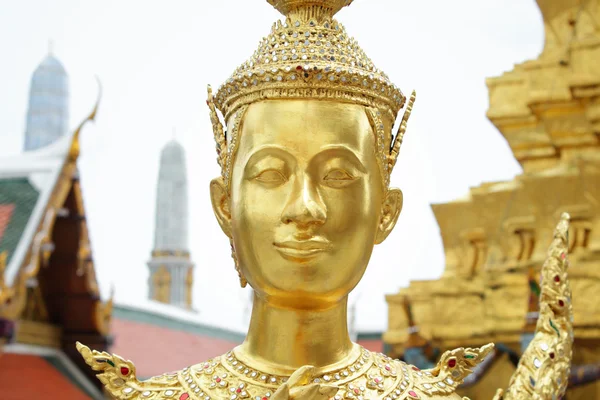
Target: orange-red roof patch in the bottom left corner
[{"x": 32, "y": 377}]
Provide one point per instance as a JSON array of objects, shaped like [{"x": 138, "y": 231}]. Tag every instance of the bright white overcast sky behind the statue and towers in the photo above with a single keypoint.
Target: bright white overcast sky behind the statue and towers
[{"x": 155, "y": 58}]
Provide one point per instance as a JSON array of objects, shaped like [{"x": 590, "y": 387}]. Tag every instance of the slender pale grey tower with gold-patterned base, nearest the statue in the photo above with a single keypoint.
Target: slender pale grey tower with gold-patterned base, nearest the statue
[{"x": 171, "y": 271}]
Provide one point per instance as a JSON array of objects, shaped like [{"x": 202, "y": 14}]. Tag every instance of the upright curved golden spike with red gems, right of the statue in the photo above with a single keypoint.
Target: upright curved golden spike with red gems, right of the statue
[{"x": 543, "y": 371}]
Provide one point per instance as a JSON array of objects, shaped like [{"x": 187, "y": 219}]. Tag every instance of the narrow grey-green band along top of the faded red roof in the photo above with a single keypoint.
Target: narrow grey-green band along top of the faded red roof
[{"x": 148, "y": 317}]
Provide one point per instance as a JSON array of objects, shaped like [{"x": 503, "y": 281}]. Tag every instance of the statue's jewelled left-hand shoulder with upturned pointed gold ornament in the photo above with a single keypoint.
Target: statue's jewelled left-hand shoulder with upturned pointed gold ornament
[{"x": 120, "y": 380}]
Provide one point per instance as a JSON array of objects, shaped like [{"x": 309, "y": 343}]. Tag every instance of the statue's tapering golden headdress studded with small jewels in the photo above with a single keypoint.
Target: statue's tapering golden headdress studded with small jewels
[{"x": 309, "y": 56}]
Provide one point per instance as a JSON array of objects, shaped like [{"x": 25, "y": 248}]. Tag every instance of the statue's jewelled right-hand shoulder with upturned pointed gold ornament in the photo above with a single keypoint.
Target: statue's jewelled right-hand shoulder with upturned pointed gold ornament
[{"x": 441, "y": 381}]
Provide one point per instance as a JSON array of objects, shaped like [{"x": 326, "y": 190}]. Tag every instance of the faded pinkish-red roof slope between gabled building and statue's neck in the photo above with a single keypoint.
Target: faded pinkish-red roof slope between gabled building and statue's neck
[{"x": 155, "y": 349}]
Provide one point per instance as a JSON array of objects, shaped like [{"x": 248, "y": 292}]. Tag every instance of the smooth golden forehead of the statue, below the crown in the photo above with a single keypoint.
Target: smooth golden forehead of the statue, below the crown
[{"x": 306, "y": 123}]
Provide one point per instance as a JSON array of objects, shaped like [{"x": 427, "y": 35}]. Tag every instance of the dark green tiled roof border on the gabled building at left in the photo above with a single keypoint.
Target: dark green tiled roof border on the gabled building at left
[{"x": 20, "y": 193}]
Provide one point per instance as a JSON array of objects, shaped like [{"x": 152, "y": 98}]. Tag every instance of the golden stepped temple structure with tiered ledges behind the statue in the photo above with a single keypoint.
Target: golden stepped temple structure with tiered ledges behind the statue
[{"x": 549, "y": 112}]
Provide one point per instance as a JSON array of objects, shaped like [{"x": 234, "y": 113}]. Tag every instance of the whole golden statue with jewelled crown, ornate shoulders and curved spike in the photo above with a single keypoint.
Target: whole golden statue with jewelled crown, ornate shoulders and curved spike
[{"x": 303, "y": 197}]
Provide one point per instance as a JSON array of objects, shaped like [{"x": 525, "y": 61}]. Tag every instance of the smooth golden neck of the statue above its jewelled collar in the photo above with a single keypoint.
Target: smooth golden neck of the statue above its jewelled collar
[{"x": 282, "y": 339}]
